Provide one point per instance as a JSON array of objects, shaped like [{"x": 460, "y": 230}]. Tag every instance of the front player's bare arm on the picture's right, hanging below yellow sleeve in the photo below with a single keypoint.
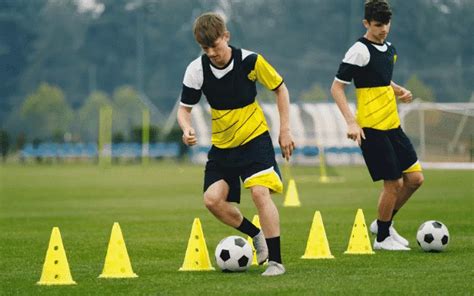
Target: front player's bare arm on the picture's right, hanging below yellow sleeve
[{"x": 285, "y": 139}]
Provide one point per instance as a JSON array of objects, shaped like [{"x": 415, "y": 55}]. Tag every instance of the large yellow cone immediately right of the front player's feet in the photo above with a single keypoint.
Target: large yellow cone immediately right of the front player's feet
[{"x": 317, "y": 246}]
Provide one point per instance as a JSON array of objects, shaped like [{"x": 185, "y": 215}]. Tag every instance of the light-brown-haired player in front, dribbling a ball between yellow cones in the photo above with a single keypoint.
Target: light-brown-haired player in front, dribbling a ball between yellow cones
[{"x": 241, "y": 144}]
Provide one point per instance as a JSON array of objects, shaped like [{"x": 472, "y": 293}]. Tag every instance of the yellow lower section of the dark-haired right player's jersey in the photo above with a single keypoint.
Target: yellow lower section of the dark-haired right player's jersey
[{"x": 377, "y": 108}]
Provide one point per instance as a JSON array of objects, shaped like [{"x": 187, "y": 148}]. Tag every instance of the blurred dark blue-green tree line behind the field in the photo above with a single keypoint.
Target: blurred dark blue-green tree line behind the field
[{"x": 60, "y": 60}]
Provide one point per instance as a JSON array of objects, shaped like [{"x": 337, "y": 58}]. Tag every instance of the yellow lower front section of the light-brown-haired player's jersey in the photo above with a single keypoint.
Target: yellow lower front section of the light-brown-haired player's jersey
[{"x": 235, "y": 127}]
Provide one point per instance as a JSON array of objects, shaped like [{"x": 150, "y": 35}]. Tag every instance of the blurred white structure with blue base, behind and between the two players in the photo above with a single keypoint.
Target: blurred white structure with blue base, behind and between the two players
[{"x": 314, "y": 126}]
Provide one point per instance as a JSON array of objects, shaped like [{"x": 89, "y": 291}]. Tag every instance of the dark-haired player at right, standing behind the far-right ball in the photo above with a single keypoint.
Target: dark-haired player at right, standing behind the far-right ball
[{"x": 388, "y": 153}]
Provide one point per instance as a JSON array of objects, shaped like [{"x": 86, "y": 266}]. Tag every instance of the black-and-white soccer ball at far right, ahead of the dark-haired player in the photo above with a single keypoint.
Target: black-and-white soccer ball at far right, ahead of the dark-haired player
[{"x": 432, "y": 236}]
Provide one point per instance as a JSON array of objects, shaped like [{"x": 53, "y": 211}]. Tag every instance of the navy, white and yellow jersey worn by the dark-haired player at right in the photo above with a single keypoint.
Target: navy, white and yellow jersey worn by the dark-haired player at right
[{"x": 370, "y": 65}]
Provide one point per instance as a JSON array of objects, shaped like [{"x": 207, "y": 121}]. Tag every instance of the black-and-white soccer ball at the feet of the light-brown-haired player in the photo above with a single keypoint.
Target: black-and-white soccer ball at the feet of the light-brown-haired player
[{"x": 234, "y": 253}]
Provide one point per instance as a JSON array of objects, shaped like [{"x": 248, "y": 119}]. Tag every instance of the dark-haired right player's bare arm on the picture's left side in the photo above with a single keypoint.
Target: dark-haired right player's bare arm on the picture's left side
[{"x": 354, "y": 131}]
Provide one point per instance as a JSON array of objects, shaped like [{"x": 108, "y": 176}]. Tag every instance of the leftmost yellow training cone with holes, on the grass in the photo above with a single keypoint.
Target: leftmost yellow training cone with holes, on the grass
[{"x": 55, "y": 268}]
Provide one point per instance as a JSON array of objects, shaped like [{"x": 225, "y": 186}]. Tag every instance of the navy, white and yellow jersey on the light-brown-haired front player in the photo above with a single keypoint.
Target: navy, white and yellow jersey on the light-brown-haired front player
[{"x": 237, "y": 117}]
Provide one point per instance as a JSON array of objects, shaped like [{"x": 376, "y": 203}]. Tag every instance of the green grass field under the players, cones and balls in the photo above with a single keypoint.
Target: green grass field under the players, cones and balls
[{"x": 156, "y": 205}]
